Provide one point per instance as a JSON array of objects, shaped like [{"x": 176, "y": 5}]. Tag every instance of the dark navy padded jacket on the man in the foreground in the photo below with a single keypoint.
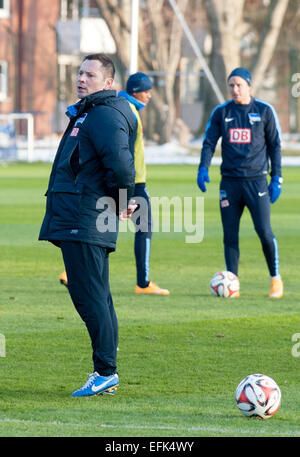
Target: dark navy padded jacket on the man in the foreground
[{"x": 93, "y": 162}]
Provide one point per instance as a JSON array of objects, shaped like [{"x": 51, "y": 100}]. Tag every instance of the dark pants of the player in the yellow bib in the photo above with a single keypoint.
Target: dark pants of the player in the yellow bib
[{"x": 143, "y": 235}]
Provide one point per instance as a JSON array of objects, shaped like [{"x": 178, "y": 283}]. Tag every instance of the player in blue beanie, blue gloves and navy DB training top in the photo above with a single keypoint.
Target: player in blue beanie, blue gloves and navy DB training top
[{"x": 251, "y": 143}]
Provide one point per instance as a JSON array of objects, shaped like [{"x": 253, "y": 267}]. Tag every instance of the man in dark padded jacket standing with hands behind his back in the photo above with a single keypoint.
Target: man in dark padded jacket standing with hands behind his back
[{"x": 90, "y": 186}]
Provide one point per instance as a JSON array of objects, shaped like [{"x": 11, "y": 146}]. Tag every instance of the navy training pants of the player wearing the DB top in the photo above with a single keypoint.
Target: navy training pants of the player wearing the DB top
[{"x": 234, "y": 196}]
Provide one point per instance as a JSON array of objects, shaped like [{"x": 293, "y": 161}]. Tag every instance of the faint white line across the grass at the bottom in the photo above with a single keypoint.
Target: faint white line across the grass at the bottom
[{"x": 221, "y": 431}]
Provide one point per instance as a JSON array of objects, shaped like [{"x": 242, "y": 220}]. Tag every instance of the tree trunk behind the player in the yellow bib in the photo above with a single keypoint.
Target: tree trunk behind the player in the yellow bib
[{"x": 160, "y": 38}]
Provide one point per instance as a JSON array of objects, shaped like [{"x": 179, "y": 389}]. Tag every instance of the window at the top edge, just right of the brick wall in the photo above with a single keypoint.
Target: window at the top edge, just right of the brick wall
[{"x": 77, "y": 9}]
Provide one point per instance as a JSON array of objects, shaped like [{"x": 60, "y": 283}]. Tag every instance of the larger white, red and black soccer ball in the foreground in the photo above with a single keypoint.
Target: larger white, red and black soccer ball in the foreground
[{"x": 258, "y": 395}]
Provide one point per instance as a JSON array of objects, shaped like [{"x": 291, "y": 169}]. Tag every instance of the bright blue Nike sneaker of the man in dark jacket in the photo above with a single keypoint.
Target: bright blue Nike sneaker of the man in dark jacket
[{"x": 98, "y": 385}]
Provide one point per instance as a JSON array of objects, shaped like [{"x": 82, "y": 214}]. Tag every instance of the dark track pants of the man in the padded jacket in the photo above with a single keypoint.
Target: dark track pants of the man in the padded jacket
[{"x": 88, "y": 283}]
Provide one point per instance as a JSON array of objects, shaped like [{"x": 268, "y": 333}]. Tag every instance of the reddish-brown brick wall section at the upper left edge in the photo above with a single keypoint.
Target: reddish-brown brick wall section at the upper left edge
[{"x": 28, "y": 62}]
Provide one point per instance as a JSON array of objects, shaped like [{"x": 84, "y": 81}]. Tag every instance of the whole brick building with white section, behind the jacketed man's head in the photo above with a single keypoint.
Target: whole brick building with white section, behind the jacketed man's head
[{"x": 41, "y": 46}]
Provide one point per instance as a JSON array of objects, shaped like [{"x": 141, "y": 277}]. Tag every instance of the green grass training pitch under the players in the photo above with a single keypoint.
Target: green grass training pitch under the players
[{"x": 177, "y": 374}]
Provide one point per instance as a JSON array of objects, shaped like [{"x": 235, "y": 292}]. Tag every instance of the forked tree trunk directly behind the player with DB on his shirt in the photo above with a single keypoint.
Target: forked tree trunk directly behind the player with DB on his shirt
[{"x": 228, "y": 28}]
